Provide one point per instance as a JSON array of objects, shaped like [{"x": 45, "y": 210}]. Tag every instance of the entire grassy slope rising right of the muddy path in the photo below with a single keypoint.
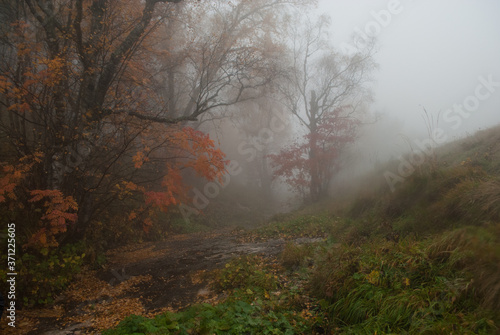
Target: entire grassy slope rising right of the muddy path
[{"x": 423, "y": 259}]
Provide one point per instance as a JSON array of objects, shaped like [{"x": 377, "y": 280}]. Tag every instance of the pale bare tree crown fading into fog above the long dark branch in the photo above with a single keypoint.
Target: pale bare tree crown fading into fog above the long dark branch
[{"x": 230, "y": 53}]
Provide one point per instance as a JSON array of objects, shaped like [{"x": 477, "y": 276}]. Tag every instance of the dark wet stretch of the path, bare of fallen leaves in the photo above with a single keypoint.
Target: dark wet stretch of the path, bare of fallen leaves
[{"x": 178, "y": 260}]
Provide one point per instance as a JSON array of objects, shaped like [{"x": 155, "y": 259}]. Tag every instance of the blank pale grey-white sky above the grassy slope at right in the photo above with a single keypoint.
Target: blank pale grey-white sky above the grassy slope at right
[{"x": 431, "y": 54}]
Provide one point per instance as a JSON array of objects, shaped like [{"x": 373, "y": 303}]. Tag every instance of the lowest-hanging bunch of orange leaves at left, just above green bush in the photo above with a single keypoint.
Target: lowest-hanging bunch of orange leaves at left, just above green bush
[{"x": 58, "y": 214}]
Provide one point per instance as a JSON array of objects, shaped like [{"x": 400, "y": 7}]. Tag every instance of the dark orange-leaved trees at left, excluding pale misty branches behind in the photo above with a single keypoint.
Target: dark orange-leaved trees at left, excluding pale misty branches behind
[{"x": 84, "y": 133}]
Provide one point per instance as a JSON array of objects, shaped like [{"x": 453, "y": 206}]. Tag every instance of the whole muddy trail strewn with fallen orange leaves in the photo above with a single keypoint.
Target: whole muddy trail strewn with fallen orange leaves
[{"x": 144, "y": 279}]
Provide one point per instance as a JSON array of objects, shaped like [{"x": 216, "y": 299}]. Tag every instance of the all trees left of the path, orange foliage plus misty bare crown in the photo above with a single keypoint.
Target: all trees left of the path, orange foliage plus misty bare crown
[{"x": 100, "y": 109}]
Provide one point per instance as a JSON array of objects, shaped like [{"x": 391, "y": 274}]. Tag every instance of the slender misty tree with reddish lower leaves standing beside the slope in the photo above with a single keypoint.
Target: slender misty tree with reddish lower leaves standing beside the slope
[{"x": 324, "y": 91}]
